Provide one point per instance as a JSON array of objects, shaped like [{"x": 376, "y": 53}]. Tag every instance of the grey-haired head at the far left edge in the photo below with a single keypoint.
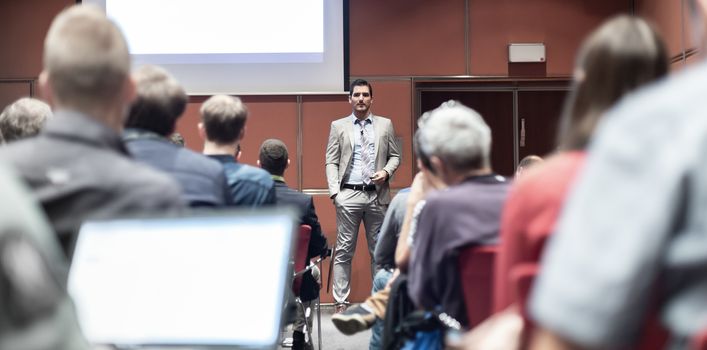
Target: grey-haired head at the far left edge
[{"x": 23, "y": 118}]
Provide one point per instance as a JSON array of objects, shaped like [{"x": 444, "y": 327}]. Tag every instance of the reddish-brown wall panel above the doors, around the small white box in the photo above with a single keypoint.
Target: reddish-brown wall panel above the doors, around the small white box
[{"x": 560, "y": 24}]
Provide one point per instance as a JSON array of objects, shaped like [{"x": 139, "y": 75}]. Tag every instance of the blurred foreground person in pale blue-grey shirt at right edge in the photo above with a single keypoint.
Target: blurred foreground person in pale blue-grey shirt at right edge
[{"x": 631, "y": 235}]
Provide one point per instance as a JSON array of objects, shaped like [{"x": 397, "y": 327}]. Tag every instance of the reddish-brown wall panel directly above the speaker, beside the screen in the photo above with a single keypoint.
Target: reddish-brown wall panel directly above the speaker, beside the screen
[{"x": 407, "y": 37}]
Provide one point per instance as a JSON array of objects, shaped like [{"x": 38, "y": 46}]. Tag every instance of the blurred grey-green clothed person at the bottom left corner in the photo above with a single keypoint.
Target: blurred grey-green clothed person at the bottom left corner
[{"x": 37, "y": 312}]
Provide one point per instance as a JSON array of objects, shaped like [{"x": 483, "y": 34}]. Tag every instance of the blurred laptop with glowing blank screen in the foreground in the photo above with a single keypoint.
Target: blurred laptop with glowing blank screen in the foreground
[{"x": 197, "y": 282}]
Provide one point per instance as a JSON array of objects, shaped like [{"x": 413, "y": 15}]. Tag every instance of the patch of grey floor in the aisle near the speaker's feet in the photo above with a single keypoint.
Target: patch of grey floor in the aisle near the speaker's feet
[{"x": 331, "y": 338}]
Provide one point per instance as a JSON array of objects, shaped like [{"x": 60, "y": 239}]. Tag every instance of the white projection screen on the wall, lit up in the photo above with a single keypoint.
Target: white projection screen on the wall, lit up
[{"x": 238, "y": 46}]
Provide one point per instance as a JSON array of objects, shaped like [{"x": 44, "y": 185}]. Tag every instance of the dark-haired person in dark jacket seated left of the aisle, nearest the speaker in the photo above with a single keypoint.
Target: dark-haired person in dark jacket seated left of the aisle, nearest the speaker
[{"x": 274, "y": 158}]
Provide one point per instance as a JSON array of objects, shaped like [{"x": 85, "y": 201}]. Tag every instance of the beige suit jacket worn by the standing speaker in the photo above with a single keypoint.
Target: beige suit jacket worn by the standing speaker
[{"x": 339, "y": 153}]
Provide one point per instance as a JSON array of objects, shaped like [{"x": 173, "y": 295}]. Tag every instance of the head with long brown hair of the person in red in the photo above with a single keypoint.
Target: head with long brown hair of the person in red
[{"x": 620, "y": 56}]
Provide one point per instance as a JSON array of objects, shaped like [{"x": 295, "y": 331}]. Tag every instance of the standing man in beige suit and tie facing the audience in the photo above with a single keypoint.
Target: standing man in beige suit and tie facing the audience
[{"x": 362, "y": 154}]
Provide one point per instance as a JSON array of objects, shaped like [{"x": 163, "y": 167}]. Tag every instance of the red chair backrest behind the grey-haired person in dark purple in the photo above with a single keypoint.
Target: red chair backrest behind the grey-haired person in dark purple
[{"x": 476, "y": 267}]
